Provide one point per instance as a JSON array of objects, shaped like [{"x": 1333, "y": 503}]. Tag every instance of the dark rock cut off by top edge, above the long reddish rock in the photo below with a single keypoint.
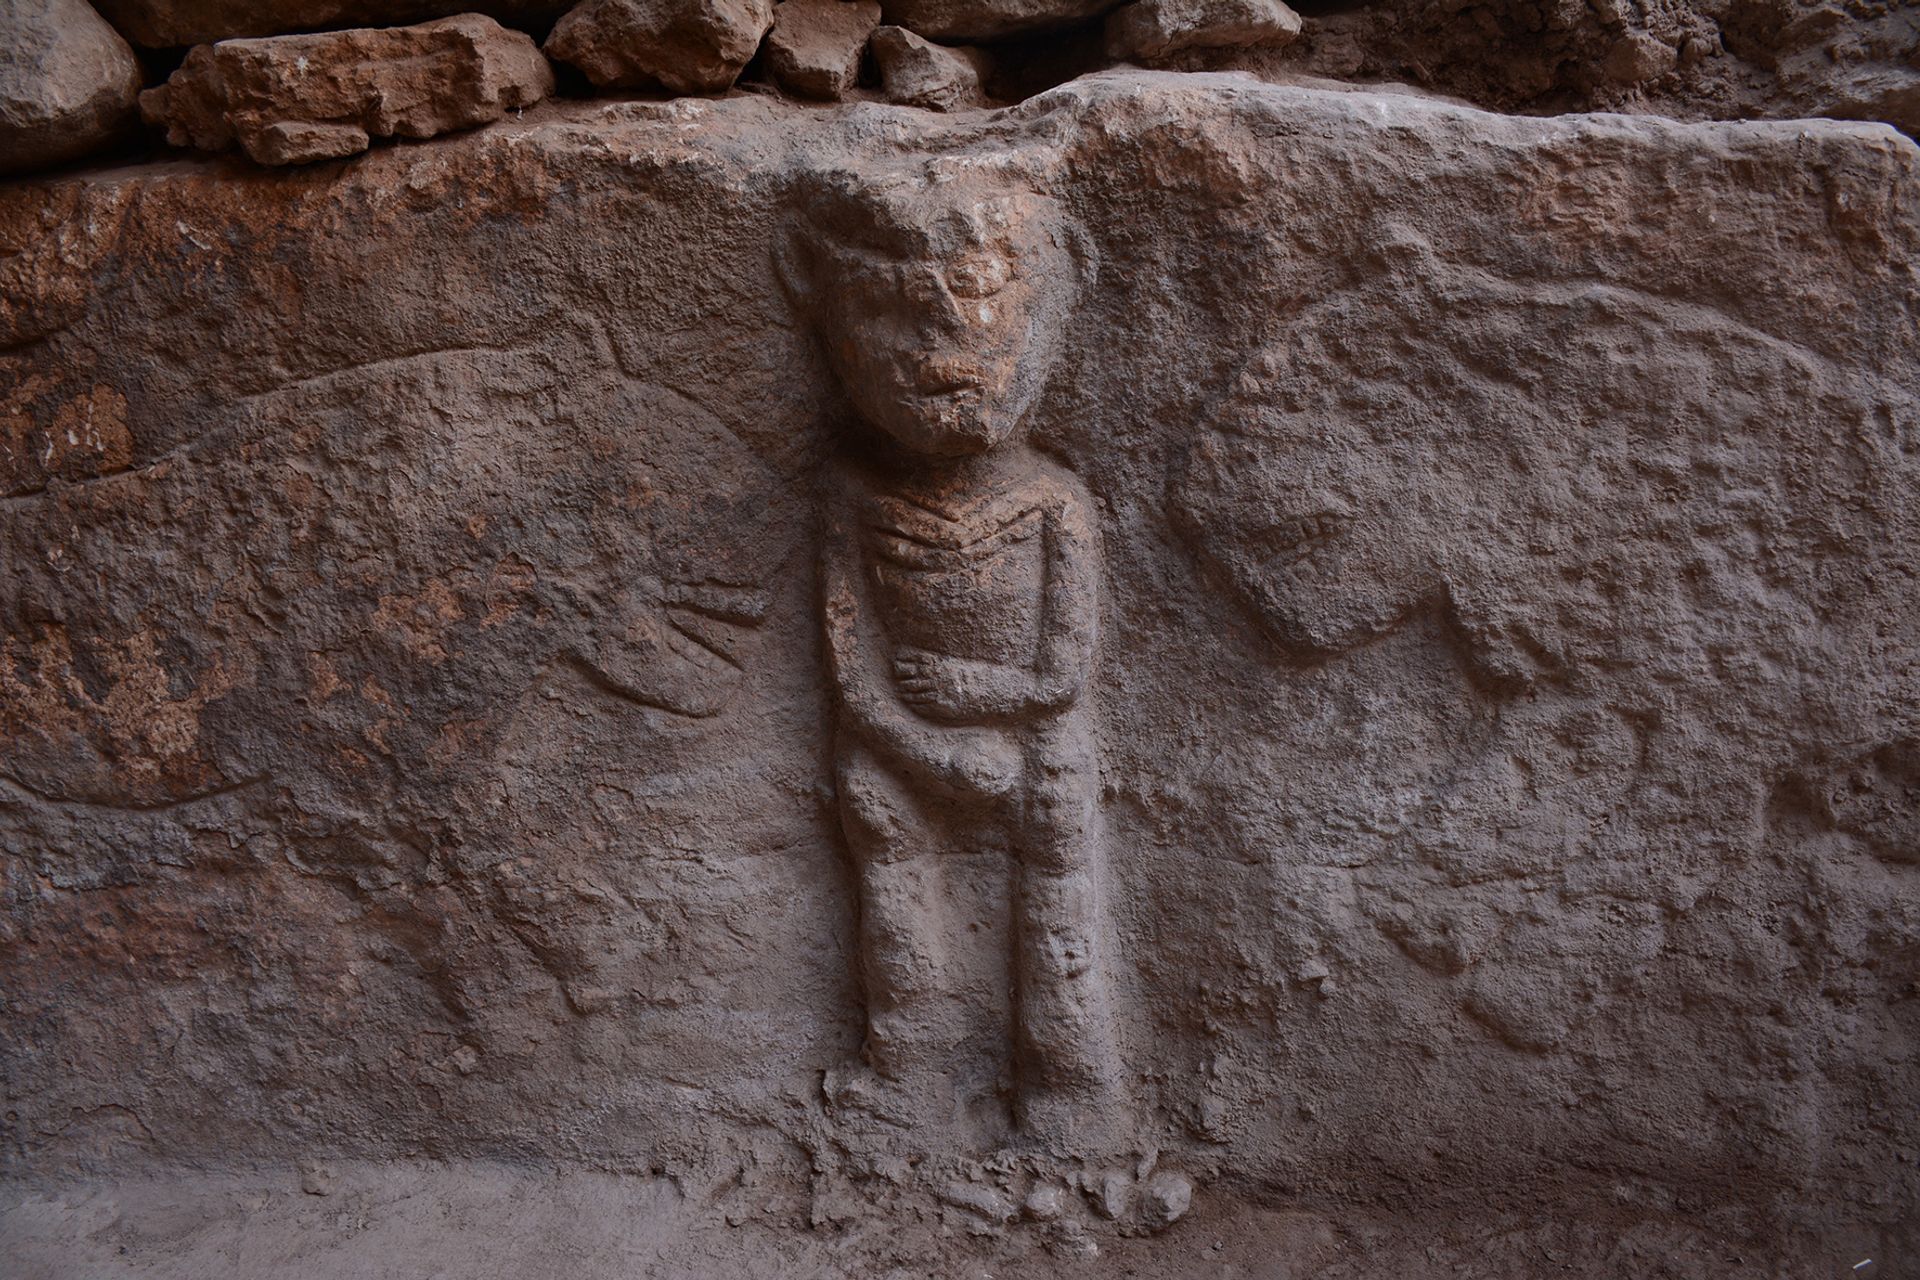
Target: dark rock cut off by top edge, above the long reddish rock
[{"x": 172, "y": 24}]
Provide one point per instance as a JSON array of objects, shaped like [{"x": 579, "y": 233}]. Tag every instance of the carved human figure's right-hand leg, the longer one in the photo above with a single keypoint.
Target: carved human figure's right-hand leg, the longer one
[{"x": 1067, "y": 1060}]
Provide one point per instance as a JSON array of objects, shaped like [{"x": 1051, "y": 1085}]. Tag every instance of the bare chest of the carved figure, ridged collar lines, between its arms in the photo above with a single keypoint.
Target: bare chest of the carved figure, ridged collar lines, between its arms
[{"x": 961, "y": 575}]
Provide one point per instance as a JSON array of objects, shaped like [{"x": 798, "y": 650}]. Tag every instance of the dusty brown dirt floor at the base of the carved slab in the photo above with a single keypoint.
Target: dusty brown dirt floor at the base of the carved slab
[{"x": 425, "y": 1221}]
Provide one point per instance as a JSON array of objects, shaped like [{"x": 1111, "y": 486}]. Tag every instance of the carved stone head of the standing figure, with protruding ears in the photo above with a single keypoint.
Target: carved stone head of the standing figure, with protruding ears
[{"x": 940, "y": 300}]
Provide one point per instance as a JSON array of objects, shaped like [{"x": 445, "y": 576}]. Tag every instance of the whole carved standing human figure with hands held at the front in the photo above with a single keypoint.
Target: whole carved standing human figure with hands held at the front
[{"x": 961, "y": 605}]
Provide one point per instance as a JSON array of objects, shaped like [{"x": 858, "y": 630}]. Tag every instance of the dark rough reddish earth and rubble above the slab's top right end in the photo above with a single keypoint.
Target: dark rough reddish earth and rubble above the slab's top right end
[{"x": 1689, "y": 59}]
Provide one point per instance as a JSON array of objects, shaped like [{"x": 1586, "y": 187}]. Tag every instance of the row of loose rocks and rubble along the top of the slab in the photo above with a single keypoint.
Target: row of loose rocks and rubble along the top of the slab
[{"x": 68, "y": 80}]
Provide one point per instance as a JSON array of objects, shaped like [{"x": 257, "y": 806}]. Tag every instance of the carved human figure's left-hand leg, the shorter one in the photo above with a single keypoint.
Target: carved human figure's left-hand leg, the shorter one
[{"x": 911, "y": 1018}]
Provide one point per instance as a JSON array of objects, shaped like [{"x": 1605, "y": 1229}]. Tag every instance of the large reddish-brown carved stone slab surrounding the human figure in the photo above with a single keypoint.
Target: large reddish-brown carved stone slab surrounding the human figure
[{"x": 420, "y": 728}]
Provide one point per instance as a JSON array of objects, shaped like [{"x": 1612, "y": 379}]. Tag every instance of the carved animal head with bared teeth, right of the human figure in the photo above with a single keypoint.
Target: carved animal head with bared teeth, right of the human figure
[{"x": 1324, "y": 527}]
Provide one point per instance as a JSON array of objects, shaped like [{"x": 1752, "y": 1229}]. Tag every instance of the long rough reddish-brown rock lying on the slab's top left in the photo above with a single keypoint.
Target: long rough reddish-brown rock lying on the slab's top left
[{"x": 300, "y": 99}]
